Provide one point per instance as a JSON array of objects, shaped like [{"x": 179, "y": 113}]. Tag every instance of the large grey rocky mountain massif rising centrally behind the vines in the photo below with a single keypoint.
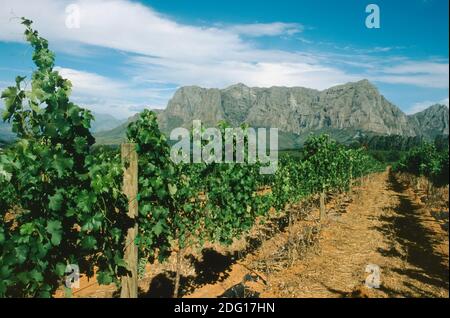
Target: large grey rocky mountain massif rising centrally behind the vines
[{"x": 353, "y": 106}]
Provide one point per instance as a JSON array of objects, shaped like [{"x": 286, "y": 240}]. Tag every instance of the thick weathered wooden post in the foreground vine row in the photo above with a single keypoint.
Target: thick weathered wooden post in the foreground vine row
[{"x": 130, "y": 189}]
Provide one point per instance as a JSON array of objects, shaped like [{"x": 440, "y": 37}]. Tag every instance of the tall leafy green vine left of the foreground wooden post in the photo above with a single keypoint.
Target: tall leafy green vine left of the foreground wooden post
[{"x": 59, "y": 204}]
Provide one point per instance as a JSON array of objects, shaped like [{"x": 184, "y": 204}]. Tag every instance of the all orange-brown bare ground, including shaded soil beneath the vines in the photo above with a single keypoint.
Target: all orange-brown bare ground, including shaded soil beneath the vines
[{"x": 383, "y": 223}]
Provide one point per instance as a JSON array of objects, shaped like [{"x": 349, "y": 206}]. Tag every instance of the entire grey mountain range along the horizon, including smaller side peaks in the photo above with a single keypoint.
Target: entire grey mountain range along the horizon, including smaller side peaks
[{"x": 346, "y": 112}]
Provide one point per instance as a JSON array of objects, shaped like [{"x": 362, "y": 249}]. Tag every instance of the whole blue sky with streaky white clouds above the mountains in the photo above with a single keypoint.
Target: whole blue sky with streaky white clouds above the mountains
[{"x": 123, "y": 56}]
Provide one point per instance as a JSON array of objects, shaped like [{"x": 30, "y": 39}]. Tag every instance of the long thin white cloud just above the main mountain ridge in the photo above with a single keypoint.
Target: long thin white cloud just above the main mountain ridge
[{"x": 263, "y": 74}]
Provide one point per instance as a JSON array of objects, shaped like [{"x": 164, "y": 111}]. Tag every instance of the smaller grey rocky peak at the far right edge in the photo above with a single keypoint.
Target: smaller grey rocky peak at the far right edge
[{"x": 431, "y": 122}]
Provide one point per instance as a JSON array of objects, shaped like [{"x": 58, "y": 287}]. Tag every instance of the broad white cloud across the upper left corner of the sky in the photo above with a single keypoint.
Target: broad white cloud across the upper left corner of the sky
[{"x": 127, "y": 26}]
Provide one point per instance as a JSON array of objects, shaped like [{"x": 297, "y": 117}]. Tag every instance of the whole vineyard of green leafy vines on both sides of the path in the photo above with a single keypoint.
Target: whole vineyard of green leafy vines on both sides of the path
[{"x": 62, "y": 201}]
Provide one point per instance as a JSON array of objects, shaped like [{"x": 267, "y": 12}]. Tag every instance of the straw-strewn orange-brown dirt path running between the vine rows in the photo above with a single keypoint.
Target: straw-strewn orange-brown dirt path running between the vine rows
[{"x": 385, "y": 225}]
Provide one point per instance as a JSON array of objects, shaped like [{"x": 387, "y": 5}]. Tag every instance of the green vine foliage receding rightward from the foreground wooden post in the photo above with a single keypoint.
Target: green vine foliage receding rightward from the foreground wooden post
[{"x": 185, "y": 204}]
